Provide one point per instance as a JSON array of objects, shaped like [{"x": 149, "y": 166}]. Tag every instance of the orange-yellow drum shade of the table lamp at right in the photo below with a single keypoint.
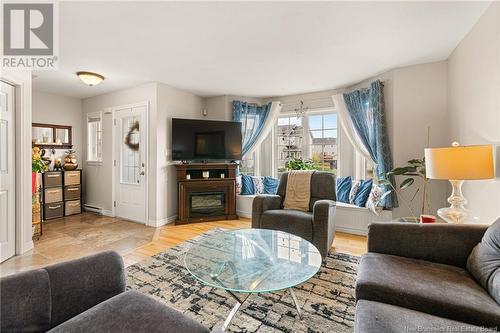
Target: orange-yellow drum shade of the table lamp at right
[{"x": 459, "y": 163}]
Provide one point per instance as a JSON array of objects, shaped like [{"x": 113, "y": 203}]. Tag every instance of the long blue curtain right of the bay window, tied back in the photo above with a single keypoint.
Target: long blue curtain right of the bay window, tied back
[{"x": 366, "y": 108}]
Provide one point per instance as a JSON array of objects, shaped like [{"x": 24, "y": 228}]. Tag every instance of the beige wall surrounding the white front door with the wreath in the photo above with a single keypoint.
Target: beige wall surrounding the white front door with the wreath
[{"x": 165, "y": 103}]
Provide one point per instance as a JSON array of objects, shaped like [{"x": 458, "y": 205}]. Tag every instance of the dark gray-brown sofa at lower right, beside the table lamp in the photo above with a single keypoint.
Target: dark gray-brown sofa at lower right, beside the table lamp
[{"x": 426, "y": 277}]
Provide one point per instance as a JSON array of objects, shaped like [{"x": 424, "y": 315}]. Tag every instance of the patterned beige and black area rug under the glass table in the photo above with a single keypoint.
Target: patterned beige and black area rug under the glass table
[{"x": 327, "y": 299}]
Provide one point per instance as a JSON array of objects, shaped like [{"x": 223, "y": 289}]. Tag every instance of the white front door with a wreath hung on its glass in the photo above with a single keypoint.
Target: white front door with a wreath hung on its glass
[{"x": 130, "y": 163}]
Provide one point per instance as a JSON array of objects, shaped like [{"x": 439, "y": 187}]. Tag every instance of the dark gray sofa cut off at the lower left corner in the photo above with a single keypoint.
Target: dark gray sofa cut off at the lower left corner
[{"x": 84, "y": 295}]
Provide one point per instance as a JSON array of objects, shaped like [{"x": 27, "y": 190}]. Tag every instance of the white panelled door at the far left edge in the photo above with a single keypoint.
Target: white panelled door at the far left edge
[{"x": 7, "y": 172}]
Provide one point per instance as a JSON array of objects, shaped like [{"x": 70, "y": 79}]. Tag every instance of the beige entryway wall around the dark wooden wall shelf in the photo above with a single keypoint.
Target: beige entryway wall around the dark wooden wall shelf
[{"x": 60, "y": 110}]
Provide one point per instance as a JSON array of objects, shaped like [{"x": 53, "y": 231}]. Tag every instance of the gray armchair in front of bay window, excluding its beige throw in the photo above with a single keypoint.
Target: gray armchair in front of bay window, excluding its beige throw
[{"x": 316, "y": 225}]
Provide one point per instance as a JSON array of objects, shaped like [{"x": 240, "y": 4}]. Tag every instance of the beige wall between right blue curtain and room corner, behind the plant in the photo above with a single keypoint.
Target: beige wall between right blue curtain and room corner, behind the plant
[{"x": 419, "y": 102}]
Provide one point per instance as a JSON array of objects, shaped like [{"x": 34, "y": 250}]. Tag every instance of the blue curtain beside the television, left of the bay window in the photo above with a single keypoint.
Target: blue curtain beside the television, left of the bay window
[{"x": 252, "y": 118}]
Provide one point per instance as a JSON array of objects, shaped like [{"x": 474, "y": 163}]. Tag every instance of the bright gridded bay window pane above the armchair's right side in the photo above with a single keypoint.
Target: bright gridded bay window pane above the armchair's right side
[{"x": 323, "y": 141}]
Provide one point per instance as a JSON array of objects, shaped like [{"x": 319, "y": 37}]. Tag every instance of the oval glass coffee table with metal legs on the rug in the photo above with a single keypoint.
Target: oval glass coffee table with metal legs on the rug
[{"x": 249, "y": 261}]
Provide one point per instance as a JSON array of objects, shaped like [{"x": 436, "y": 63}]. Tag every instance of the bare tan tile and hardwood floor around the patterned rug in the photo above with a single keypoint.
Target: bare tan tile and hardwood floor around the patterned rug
[{"x": 79, "y": 235}]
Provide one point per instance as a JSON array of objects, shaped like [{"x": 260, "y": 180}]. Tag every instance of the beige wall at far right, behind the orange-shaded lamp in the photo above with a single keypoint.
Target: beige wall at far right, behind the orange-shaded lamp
[{"x": 474, "y": 104}]
